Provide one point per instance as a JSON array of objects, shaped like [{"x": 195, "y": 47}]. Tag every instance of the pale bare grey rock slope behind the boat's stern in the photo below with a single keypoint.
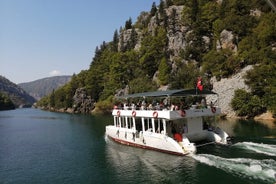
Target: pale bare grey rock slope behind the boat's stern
[{"x": 226, "y": 88}]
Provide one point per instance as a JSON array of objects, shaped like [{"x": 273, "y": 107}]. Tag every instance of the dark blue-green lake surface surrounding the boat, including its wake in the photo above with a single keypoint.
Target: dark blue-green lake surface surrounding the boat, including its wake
[{"x": 46, "y": 147}]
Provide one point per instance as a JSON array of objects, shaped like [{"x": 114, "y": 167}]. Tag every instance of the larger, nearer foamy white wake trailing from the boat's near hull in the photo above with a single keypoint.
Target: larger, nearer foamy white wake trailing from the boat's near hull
[{"x": 243, "y": 167}]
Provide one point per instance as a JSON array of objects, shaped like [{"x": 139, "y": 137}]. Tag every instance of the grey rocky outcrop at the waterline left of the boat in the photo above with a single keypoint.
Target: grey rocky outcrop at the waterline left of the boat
[{"x": 82, "y": 103}]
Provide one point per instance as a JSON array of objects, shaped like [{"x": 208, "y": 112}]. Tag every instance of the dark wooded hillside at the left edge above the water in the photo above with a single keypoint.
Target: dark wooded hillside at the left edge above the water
[{"x": 16, "y": 94}]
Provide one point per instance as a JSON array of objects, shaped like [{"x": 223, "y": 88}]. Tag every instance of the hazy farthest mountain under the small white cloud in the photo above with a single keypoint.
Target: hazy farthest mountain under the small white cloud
[{"x": 45, "y": 86}]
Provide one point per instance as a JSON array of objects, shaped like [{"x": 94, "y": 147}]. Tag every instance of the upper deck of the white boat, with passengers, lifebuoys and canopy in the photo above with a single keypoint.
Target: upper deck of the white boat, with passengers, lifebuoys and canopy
[{"x": 169, "y": 112}]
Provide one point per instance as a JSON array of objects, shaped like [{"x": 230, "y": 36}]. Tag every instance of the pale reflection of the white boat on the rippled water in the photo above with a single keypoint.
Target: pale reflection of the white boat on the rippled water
[{"x": 138, "y": 165}]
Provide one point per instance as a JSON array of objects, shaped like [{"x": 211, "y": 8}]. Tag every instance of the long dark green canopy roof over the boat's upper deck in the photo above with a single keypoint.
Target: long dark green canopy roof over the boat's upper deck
[{"x": 167, "y": 93}]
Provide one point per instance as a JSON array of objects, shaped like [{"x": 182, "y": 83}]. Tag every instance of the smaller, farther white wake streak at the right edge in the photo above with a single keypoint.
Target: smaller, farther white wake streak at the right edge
[{"x": 266, "y": 149}]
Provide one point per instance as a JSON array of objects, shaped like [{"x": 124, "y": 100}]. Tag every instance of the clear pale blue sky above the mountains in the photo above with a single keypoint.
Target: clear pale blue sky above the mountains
[{"x": 42, "y": 38}]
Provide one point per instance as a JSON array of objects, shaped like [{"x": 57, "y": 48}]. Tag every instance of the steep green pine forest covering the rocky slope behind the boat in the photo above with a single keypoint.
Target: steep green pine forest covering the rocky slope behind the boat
[{"x": 144, "y": 62}]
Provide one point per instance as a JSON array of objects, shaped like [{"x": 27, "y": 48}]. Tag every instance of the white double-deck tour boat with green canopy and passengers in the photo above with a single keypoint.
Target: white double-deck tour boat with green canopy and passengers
[{"x": 168, "y": 128}]
